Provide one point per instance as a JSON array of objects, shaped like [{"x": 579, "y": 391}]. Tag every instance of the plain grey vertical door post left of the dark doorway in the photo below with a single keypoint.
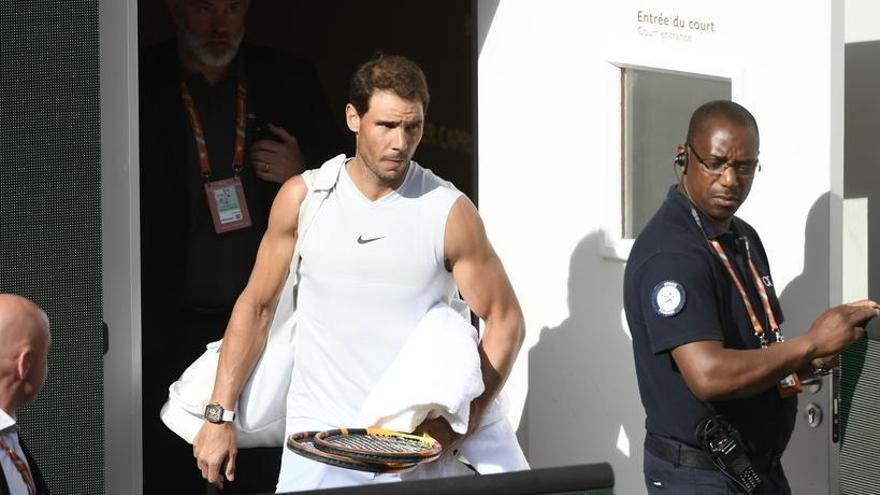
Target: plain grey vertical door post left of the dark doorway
[{"x": 120, "y": 244}]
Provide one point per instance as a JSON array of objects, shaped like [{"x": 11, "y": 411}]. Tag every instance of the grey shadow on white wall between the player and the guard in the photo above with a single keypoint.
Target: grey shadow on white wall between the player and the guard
[{"x": 583, "y": 403}]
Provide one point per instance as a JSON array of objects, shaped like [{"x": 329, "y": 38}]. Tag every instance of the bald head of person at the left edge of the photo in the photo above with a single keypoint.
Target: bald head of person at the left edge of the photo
[{"x": 24, "y": 346}]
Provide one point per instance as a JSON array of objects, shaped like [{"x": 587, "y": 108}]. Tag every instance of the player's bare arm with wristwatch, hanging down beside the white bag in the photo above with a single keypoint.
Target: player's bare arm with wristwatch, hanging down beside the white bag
[{"x": 248, "y": 328}]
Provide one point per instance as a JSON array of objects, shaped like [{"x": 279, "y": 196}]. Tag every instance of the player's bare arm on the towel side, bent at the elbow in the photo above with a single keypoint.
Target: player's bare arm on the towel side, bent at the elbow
[{"x": 487, "y": 290}]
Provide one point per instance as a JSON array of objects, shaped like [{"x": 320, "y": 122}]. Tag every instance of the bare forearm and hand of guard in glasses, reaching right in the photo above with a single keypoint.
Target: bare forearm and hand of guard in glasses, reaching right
[{"x": 713, "y": 372}]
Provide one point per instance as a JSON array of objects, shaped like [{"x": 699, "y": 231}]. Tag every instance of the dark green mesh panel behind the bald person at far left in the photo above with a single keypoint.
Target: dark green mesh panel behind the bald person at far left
[{"x": 50, "y": 237}]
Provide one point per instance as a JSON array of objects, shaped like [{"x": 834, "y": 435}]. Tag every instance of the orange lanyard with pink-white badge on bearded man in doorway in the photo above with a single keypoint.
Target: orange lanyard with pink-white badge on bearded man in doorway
[{"x": 226, "y": 198}]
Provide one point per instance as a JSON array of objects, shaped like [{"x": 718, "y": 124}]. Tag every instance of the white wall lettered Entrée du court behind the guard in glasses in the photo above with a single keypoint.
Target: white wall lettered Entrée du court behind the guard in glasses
[{"x": 549, "y": 191}]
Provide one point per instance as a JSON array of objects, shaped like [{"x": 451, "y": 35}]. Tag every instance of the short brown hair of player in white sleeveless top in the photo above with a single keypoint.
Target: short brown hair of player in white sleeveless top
[{"x": 383, "y": 72}]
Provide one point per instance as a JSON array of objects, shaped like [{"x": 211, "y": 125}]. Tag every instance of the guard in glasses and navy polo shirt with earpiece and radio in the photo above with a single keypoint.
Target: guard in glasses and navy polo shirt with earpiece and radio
[{"x": 705, "y": 358}]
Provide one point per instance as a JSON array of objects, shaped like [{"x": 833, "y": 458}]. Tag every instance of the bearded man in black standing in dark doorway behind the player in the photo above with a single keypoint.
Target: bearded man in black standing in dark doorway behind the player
[{"x": 222, "y": 125}]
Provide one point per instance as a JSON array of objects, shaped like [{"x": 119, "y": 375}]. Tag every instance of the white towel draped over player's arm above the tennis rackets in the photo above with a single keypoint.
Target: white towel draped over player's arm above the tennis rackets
[{"x": 437, "y": 373}]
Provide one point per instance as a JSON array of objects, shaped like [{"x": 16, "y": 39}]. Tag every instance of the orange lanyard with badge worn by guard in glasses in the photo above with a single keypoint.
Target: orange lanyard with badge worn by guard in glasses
[{"x": 791, "y": 384}]
